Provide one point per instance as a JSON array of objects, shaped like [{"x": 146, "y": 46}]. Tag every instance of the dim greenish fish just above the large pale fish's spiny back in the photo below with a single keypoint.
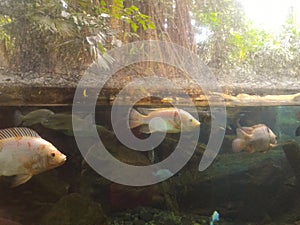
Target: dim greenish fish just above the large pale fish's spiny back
[{"x": 31, "y": 118}]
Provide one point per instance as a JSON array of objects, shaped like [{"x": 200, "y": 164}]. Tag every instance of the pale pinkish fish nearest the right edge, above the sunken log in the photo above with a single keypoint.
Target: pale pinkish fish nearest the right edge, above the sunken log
[{"x": 258, "y": 138}]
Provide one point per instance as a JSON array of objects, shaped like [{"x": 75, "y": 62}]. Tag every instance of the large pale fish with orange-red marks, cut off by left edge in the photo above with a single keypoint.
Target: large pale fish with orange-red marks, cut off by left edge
[{"x": 23, "y": 153}]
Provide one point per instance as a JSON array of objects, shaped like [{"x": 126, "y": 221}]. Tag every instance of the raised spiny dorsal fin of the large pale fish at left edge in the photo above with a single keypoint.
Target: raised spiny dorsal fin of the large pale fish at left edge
[{"x": 17, "y": 132}]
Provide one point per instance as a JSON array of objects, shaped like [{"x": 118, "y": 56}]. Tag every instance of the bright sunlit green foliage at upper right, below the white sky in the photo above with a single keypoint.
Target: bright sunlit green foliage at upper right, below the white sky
[{"x": 235, "y": 44}]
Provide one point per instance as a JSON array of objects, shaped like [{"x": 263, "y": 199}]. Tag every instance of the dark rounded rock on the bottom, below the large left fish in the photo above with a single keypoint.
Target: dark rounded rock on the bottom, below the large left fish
[{"x": 73, "y": 209}]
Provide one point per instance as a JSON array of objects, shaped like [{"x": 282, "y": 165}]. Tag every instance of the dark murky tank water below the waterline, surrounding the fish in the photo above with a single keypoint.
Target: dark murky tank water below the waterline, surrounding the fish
[{"x": 243, "y": 187}]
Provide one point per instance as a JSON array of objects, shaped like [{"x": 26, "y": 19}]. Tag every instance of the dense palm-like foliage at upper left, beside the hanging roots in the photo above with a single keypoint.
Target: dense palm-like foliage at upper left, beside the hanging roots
[{"x": 54, "y": 36}]
